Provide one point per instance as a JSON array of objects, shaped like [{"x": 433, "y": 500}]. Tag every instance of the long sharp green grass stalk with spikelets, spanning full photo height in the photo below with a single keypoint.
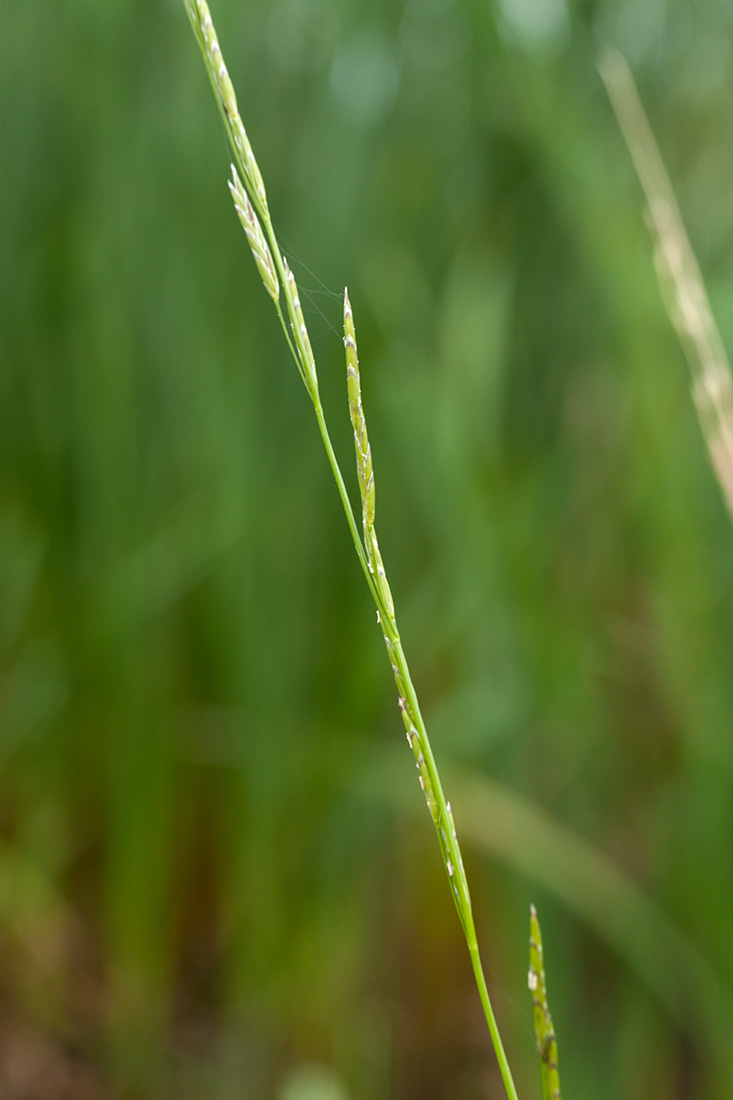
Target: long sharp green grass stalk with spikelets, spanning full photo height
[{"x": 251, "y": 205}]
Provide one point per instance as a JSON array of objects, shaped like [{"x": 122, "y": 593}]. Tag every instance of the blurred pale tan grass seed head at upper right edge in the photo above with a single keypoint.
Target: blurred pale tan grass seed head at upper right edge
[{"x": 680, "y": 274}]
